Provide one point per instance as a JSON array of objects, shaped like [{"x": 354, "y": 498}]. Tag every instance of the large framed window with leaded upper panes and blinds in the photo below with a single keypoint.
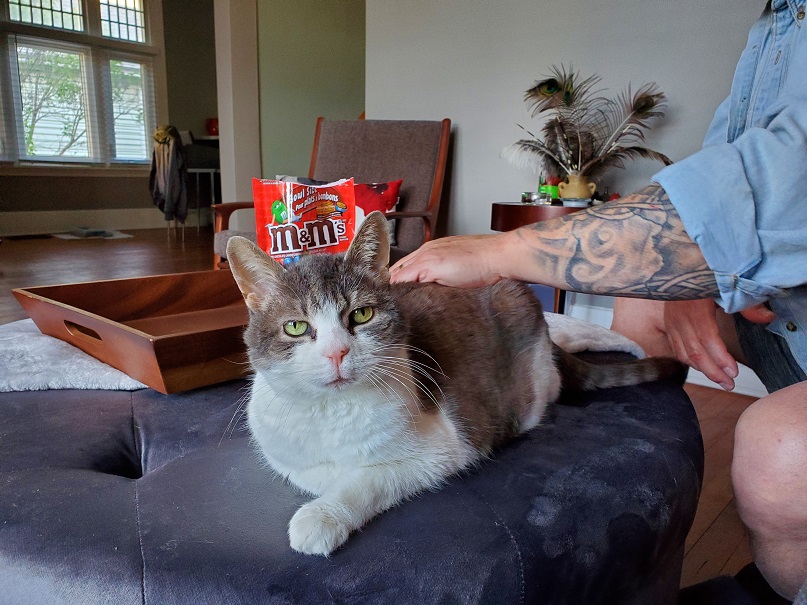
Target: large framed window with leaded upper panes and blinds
[{"x": 78, "y": 82}]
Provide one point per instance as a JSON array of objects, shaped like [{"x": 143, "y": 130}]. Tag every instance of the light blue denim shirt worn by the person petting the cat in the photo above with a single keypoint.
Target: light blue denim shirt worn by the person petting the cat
[{"x": 743, "y": 197}]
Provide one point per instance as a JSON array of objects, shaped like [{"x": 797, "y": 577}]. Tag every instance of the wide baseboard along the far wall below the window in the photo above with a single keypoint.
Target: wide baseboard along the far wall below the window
[{"x": 58, "y": 221}]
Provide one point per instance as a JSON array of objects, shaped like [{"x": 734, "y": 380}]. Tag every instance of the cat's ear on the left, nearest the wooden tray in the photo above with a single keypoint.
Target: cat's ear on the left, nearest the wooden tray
[{"x": 255, "y": 272}]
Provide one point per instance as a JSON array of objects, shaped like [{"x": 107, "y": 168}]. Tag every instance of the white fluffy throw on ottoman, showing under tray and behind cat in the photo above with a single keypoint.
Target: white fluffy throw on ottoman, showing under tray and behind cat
[{"x": 32, "y": 361}]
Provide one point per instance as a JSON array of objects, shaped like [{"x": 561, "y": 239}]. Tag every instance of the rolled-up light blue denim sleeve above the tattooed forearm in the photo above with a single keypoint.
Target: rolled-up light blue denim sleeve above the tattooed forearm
[{"x": 745, "y": 205}]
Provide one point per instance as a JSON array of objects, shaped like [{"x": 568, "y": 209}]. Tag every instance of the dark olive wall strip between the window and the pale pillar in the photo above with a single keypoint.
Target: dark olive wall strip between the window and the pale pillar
[{"x": 190, "y": 62}]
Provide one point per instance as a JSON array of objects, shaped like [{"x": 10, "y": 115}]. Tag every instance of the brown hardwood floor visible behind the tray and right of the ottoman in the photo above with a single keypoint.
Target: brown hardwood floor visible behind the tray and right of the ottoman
[{"x": 717, "y": 543}]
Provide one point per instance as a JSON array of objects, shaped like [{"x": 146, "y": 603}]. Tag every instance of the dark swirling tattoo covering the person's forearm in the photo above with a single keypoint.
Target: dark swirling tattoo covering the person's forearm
[{"x": 636, "y": 247}]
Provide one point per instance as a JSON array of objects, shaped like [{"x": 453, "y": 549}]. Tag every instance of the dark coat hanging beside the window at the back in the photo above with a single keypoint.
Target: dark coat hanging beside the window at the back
[{"x": 167, "y": 176}]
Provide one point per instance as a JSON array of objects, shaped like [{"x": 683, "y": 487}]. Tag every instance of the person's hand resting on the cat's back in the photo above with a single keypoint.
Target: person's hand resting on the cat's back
[{"x": 465, "y": 261}]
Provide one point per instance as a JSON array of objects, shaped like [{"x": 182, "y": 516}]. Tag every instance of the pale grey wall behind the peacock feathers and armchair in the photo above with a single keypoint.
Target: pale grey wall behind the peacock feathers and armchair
[{"x": 472, "y": 61}]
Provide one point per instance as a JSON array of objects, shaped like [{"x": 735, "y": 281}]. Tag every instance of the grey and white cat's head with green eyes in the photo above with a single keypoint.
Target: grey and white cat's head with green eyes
[{"x": 325, "y": 323}]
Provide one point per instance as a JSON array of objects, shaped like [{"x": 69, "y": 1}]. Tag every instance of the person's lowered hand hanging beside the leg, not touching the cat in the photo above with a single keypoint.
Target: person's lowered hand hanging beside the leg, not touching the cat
[{"x": 694, "y": 337}]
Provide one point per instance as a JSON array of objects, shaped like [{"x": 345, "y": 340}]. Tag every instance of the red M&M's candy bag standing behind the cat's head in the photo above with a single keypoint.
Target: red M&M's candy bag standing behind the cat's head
[{"x": 293, "y": 219}]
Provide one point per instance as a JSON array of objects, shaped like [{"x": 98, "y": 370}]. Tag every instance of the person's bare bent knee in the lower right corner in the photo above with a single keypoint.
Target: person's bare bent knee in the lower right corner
[{"x": 770, "y": 484}]
